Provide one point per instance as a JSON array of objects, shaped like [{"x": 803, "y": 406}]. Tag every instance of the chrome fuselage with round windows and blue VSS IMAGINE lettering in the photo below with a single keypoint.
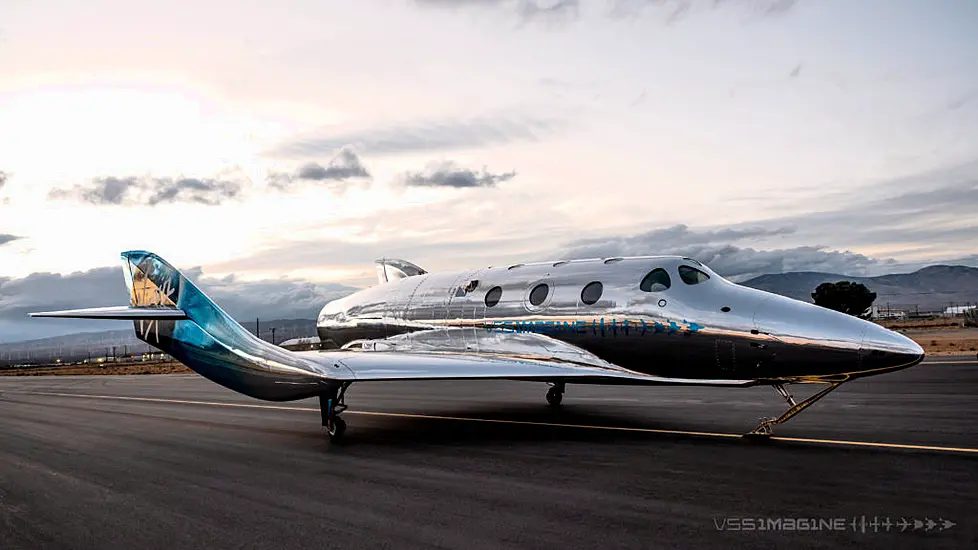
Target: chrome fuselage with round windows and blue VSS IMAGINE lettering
[{"x": 701, "y": 327}]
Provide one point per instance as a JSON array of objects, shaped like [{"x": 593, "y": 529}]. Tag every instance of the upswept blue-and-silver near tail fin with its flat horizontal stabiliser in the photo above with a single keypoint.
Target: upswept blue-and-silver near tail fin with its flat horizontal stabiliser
[{"x": 172, "y": 314}]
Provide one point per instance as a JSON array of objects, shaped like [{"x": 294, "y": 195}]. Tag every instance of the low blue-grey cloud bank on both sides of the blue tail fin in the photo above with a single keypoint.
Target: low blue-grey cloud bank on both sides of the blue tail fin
[{"x": 268, "y": 299}]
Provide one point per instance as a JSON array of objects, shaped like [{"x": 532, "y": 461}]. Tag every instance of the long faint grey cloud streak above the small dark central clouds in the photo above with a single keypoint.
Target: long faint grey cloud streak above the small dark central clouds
[{"x": 421, "y": 136}]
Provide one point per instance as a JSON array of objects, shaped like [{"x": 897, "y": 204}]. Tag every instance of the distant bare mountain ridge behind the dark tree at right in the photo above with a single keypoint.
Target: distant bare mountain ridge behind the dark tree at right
[{"x": 929, "y": 289}]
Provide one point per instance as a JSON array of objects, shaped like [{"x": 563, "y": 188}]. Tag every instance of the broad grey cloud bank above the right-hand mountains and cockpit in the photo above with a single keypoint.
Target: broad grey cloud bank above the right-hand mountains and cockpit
[{"x": 924, "y": 215}]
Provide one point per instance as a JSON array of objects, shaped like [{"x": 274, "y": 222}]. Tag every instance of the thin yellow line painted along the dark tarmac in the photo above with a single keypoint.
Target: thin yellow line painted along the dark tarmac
[{"x": 526, "y": 423}]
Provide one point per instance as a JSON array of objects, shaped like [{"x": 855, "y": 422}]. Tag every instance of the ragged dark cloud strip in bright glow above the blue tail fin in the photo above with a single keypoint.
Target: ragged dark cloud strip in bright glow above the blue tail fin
[{"x": 151, "y": 191}]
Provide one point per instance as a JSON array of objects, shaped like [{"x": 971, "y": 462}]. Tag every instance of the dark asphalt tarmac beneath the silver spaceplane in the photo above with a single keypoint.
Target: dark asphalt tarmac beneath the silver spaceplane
[{"x": 174, "y": 461}]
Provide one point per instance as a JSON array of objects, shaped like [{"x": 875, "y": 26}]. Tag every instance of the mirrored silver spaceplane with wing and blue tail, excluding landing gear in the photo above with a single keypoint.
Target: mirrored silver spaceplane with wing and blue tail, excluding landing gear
[{"x": 656, "y": 320}]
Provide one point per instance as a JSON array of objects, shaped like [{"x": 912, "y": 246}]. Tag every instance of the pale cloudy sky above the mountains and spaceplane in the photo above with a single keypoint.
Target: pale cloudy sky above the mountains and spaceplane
[{"x": 275, "y": 150}]
